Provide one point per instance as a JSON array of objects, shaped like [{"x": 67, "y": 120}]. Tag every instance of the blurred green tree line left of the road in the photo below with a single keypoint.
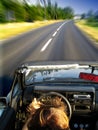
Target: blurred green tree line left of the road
[{"x": 21, "y": 10}]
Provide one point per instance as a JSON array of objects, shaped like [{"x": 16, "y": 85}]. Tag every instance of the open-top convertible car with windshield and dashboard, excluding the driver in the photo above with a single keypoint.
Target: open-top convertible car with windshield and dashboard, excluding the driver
[{"x": 75, "y": 83}]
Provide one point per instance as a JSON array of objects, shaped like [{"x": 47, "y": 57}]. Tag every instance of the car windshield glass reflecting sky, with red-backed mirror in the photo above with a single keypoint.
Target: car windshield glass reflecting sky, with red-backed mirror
[{"x": 58, "y": 73}]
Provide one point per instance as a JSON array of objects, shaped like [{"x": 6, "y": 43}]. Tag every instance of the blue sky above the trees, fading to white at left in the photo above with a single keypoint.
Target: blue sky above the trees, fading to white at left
[{"x": 79, "y": 6}]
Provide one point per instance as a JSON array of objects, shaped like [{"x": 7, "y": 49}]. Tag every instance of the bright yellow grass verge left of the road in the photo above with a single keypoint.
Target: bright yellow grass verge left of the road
[{"x": 11, "y": 29}]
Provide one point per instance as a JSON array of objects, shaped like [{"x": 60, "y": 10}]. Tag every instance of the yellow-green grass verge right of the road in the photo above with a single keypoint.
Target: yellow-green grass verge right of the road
[{"x": 90, "y": 28}]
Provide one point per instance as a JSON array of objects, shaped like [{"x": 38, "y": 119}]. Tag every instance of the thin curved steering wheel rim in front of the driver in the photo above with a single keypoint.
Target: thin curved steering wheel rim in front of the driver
[{"x": 61, "y": 96}]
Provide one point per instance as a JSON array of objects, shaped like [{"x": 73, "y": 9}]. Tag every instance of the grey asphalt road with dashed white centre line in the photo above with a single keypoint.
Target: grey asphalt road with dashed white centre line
[{"x": 59, "y": 41}]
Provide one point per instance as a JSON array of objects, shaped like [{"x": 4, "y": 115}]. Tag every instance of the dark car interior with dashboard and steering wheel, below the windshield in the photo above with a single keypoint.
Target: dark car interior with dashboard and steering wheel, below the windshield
[{"x": 81, "y": 100}]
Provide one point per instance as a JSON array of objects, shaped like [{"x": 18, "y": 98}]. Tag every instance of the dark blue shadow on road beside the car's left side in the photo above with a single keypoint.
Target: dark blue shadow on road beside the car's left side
[{"x": 5, "y": 85}]
